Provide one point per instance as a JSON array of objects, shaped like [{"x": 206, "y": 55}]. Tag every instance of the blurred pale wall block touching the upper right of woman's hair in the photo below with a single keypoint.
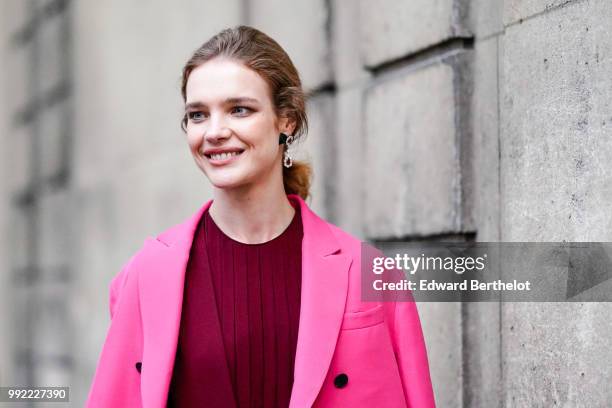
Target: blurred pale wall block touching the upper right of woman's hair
[{"x": 297, "y": 27}]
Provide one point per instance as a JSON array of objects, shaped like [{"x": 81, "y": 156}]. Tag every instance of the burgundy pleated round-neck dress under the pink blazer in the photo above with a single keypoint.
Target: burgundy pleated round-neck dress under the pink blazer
[{"x": 239, "y": 321}]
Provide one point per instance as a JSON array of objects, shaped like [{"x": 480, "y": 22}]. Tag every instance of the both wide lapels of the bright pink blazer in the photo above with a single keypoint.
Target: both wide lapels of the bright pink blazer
[{"x": 162, "y": 267}]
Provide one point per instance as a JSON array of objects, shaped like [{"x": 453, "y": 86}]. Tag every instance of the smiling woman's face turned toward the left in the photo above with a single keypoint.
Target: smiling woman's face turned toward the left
[{"x": 232, "y": 129}]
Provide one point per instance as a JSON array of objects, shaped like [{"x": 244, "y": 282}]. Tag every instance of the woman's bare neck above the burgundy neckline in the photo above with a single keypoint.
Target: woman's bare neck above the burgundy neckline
[{"x": 252, "y": 215}]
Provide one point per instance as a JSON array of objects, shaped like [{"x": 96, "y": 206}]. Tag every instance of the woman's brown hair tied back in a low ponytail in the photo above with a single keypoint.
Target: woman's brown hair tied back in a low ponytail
[{"x": 265, "y": 56}]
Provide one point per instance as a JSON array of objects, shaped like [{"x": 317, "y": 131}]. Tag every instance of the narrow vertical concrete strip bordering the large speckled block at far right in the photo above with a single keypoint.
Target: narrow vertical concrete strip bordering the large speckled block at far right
[{"x": 485, "y": 166}]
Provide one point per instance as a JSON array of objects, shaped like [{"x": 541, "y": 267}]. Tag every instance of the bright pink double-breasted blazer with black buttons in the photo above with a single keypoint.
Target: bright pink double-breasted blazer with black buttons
[{"x": 378, "y": 346}]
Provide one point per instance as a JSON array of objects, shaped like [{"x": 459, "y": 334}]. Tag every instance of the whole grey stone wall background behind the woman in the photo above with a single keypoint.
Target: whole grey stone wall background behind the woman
[{"x": 487, "y": 120}]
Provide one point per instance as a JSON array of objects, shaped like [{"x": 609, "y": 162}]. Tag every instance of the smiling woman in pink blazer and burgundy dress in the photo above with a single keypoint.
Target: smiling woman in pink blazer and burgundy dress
[{"x": 208, "y": 312}]
